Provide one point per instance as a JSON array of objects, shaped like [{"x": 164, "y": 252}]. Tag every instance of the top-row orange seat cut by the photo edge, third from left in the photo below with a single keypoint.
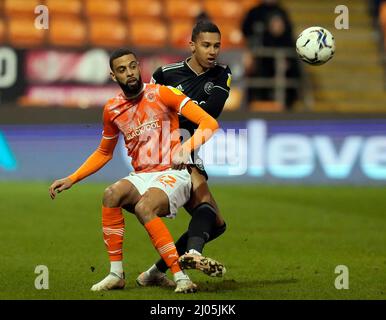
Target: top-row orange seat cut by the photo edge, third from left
[{"x": 103, "y": 8}]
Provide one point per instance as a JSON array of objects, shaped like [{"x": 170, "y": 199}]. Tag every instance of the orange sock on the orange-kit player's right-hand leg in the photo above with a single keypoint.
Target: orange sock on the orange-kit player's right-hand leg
[{"x": 163, "y": 242}]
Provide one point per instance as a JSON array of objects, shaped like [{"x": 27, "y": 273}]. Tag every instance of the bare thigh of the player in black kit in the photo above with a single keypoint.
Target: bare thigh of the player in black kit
[{"x": 201, "y": 194}]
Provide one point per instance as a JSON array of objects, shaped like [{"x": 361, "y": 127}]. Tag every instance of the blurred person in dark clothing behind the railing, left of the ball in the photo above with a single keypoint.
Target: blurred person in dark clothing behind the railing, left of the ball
[{"x": 268, "y": 25}]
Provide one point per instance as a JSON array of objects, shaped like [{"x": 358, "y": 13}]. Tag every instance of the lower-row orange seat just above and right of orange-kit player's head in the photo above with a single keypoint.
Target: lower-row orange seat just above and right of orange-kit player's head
[{"x": 149, "y": 33}]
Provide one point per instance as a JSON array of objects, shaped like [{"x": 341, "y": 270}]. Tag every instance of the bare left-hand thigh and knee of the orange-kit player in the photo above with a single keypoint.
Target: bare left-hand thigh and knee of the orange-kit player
[{"x": 122, "y": 193}]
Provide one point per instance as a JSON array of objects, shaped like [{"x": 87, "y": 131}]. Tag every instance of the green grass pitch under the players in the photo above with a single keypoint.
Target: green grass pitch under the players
[{"x": 282, "y": 242}]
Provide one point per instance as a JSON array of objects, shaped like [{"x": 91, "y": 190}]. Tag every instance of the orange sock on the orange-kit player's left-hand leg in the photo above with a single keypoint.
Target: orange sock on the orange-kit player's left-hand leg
[{"x": 113, "y": 229}]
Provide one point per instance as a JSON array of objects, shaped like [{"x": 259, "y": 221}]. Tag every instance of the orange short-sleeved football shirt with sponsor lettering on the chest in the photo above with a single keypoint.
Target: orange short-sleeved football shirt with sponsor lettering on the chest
[{"x": 149, "y": 125}]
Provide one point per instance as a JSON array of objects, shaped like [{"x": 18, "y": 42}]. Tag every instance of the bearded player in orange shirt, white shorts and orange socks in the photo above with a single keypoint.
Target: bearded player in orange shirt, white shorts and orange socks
[{"x": 147, "y": 117}]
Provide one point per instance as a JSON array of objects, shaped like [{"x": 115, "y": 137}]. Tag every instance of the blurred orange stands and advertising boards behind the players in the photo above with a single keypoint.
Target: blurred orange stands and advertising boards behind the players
[{"x": 58, "y": 78}]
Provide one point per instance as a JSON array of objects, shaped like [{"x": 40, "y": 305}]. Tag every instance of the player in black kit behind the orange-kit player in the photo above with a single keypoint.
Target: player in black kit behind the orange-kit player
[{"x": 206, "y": 82}]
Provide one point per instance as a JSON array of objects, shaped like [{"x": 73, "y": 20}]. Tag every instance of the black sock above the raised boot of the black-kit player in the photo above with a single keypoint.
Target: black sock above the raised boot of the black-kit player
[{"x": 202, "y": 223}]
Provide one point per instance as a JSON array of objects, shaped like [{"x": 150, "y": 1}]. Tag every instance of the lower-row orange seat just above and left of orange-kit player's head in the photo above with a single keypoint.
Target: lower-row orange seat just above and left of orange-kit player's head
[{"x": 106, "y": 32}]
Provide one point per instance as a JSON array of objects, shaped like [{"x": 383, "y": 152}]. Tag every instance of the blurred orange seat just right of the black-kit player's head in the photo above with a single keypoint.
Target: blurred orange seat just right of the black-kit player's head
[{"x": 231, "y": 35}]
